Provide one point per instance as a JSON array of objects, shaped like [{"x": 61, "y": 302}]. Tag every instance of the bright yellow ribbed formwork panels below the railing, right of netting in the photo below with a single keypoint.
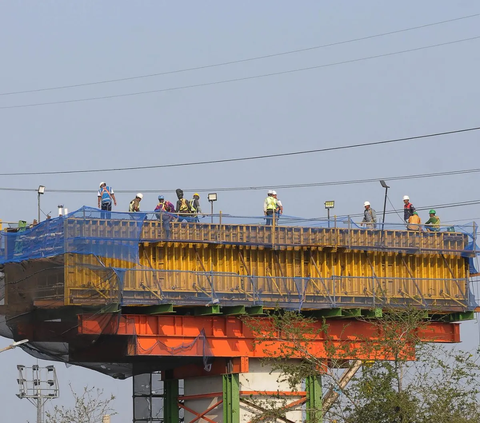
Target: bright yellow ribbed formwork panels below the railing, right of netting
[{"x": 357, "y": 274}]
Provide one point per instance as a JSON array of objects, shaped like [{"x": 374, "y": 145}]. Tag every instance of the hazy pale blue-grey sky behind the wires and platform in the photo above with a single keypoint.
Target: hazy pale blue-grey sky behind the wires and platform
[{"x": 50, "y": 44}]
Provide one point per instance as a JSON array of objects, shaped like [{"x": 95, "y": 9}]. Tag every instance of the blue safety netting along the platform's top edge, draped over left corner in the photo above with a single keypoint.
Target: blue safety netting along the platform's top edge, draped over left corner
[{"x": 117, "y": 234}]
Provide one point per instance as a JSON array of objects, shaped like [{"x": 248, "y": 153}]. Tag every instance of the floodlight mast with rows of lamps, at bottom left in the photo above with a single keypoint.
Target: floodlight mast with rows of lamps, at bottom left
[{"x": 38, "y": 385}]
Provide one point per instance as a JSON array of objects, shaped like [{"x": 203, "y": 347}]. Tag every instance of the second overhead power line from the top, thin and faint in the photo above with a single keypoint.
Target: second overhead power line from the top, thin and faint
[{"x": 228, "y": 81}]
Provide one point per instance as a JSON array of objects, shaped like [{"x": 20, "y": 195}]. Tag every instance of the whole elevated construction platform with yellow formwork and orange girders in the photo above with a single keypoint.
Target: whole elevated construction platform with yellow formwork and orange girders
[{"x": 133, "y": 293}]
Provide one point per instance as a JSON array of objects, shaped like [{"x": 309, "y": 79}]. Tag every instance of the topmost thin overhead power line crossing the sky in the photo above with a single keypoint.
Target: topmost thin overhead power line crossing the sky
[{"x": 232, "y": 62}]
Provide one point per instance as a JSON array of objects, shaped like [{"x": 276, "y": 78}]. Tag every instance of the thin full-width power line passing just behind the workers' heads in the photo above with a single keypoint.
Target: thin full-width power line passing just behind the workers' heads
[{"x": 263, "y": 187}]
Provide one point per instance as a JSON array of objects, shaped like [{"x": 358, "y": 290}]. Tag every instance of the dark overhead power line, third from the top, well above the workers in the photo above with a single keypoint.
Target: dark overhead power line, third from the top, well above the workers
[{"x": 240, "y": 159}]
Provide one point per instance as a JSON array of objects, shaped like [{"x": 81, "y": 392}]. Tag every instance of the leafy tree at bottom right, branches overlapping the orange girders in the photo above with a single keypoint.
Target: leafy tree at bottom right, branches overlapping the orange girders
[{"x": 407, "y": 381}]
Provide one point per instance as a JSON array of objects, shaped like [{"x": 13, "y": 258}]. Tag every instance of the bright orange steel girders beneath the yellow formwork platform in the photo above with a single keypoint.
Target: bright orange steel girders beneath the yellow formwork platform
[{"x": 227, "y": 336}]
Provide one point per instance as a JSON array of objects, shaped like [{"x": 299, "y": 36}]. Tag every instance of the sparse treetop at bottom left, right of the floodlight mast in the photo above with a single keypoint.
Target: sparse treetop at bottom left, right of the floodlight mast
[{"x": 90, "y": 407}]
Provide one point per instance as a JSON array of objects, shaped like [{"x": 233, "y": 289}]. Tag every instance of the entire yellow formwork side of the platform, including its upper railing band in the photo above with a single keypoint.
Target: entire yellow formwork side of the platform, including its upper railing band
[{"x": 348, "y": 265}]
